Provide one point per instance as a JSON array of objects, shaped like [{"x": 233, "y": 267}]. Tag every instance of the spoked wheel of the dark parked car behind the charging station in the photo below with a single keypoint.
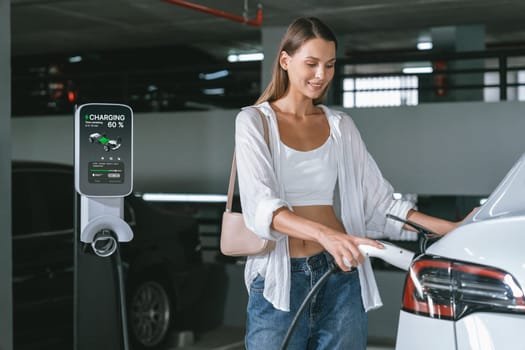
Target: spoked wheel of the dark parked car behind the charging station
[{"x": 150, "y": 314}]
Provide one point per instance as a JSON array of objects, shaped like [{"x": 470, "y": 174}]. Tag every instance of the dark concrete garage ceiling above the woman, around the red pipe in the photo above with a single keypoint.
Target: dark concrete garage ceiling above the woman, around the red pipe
[{"x": 69, "y": 26}]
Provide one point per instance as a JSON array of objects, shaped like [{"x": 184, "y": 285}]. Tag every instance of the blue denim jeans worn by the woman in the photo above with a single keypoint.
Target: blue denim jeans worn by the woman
[{"x": 334, "y": 319}]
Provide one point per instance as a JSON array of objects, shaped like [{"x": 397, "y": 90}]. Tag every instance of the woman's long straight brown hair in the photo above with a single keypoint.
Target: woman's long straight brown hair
[{"x": 300, "y": 31}]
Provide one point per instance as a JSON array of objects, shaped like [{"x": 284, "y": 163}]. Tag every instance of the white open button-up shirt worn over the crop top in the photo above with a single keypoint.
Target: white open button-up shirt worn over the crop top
[{"x": 364, "y": 198}]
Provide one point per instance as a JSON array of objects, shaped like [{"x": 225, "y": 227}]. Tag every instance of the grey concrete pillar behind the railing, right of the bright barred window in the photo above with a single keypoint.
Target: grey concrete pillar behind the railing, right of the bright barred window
[{"x": 452, "y": 39}]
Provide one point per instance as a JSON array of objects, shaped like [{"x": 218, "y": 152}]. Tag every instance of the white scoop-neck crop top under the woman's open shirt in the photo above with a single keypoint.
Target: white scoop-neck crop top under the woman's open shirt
[{"x": 309, "y": 177}]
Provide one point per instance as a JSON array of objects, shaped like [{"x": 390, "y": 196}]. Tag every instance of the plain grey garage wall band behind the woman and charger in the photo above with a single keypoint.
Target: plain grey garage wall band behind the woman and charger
[{"x": 446, "y": 148}]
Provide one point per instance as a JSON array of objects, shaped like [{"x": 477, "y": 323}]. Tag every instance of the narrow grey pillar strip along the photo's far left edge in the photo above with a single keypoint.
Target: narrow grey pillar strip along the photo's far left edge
[{"x": 6, "y": 298}]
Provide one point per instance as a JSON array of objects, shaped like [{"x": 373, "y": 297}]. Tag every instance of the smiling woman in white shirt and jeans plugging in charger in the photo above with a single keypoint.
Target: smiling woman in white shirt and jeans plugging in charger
[{"x": 288, "y": 188}]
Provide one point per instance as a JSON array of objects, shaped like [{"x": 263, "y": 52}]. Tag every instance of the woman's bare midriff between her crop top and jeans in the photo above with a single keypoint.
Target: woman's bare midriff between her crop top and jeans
[{"x": 323, "y": 214}]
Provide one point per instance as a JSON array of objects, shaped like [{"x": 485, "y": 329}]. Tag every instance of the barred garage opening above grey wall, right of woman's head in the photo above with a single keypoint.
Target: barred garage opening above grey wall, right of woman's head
[{"x": 368, "y": 80}]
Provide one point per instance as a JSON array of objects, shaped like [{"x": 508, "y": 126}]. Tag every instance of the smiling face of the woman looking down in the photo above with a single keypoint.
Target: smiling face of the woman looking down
[{"x": 311, "y": 68}]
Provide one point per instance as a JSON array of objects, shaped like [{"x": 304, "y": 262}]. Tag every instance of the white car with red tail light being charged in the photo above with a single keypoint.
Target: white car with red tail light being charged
[{"x": 466, "y": 290}]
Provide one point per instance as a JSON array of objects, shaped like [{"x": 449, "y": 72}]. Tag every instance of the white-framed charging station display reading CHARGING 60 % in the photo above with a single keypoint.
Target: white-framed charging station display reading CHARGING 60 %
[{"x": 103, "y": 162}]
